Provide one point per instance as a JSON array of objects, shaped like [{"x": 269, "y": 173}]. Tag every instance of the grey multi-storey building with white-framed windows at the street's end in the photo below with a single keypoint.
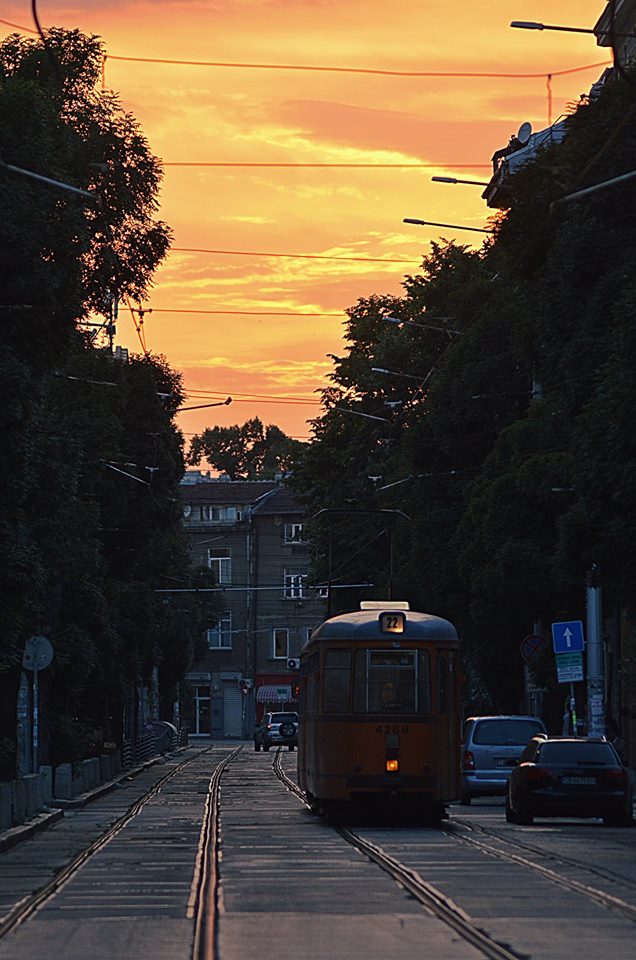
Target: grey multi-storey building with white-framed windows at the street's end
[{"x": 250, "y": 534}]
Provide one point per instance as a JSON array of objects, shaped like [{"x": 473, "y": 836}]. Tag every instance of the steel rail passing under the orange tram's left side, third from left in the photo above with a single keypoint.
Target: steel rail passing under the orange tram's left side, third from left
[{"x": 440, "y": 905}]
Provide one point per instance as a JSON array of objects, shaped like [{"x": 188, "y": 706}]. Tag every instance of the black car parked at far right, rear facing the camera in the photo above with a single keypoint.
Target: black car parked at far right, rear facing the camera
[{"x": 569, "y": 777}]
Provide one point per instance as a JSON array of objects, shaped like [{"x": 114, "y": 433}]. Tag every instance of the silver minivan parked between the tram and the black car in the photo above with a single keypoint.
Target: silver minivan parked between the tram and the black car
[{"x": 492, "y": 747}]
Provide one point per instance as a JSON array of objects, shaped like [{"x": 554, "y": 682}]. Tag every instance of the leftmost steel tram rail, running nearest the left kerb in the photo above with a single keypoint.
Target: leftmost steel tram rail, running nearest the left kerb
[{"x": 30, "y": 904}]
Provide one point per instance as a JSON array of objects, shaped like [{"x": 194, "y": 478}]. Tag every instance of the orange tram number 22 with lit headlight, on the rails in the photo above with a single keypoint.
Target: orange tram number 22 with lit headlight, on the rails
[{"x": 379, "y": 711}]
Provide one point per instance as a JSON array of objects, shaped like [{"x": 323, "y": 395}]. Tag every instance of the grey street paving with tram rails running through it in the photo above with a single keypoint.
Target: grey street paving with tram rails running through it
[{"x": 292, "y": 888}]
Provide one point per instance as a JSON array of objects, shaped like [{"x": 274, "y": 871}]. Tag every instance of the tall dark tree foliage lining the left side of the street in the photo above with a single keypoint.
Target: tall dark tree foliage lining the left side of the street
[{"x": 91, "y": 458}]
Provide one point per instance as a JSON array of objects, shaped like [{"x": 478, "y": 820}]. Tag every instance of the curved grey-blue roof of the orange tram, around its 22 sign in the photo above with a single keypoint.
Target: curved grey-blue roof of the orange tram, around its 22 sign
[{"x": 363, "y": 625}]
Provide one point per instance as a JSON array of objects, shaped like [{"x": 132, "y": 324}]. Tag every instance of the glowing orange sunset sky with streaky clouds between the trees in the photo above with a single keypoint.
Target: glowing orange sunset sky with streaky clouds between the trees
[{"x": 268, "y": 323}]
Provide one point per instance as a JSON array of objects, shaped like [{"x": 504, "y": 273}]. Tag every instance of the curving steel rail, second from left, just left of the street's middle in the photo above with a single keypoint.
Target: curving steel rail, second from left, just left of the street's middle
[{"x": 203, "y": 902}]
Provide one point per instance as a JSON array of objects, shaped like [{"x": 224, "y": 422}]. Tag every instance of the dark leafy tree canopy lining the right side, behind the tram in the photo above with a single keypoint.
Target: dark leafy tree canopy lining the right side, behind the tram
[{"x": 503, "y": 431}]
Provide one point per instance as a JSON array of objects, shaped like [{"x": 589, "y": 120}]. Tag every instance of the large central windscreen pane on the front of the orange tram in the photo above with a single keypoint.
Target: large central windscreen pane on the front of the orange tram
[{"x": 385, "y": 681}]
